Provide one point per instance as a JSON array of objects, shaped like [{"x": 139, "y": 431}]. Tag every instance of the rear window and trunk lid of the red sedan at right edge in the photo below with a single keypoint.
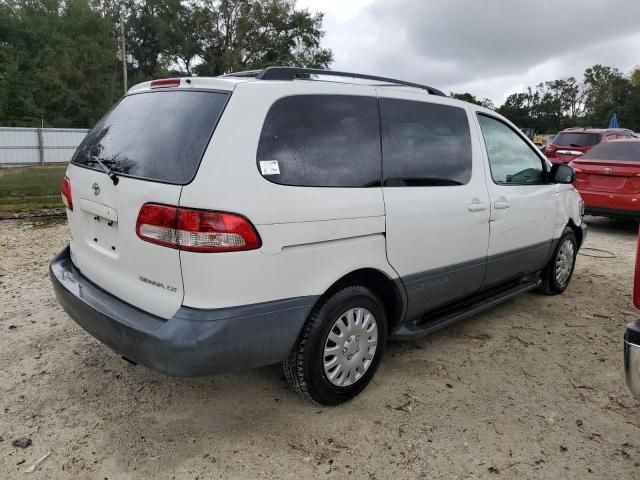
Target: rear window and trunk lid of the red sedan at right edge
[{"x": 610, "y": 168}]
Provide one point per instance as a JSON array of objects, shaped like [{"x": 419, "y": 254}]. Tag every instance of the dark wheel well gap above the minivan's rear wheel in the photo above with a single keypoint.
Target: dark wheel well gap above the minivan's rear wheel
[{"x": 386, "y": 289}]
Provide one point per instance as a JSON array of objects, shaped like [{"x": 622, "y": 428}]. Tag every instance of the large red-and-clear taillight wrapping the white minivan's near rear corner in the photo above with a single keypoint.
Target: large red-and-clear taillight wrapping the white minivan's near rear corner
[{"x": 195, "y": 230}]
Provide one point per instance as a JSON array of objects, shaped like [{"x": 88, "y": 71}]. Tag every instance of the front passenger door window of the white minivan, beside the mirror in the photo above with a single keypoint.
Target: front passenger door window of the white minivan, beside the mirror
[{"x": 511, "y": 159}]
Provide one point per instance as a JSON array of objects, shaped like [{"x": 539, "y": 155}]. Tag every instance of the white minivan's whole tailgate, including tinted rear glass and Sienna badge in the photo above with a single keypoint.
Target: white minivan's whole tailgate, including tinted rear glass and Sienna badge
[{"x": 153, "y": 142}]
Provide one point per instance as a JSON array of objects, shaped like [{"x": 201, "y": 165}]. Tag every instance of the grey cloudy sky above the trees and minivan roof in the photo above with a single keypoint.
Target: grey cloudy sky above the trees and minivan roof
[{"x": 490, "y": 48}]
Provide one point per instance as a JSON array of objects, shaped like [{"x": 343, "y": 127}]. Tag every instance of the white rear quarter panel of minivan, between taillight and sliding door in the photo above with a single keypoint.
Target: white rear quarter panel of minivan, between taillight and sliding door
[{"x": 311, "y": 236}]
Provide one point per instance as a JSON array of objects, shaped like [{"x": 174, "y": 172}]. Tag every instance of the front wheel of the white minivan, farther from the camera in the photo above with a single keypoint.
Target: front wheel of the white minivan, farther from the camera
[{"x": 554, "y": 281}]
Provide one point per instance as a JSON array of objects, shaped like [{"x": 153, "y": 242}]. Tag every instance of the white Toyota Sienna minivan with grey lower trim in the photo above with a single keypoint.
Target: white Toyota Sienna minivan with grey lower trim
[{"x": 282, "y": 216}]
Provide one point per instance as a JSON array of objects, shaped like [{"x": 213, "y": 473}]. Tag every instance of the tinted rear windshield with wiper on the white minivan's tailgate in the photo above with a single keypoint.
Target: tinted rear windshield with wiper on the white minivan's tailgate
[{"x": 158, "y": 136}]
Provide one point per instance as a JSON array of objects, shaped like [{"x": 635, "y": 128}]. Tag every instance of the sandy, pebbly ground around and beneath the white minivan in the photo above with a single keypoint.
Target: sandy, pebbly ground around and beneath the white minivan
[{"x": 530, "y": 389}]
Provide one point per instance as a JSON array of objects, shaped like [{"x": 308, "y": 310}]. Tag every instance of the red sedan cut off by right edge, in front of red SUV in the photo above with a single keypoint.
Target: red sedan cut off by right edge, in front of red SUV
[{"x": 608, "y": 179}]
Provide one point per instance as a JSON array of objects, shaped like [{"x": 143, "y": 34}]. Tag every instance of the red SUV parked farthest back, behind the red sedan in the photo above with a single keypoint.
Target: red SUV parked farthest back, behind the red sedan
[{"x": 573, "y": 142}]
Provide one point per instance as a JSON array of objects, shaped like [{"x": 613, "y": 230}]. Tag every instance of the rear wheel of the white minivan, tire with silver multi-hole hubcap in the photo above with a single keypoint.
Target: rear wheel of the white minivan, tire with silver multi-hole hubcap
[{"x": 358, "y": 358}]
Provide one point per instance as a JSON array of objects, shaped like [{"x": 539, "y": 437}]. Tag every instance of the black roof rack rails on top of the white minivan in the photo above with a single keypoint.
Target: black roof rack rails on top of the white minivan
[{"x": 291, "y": 73}]
